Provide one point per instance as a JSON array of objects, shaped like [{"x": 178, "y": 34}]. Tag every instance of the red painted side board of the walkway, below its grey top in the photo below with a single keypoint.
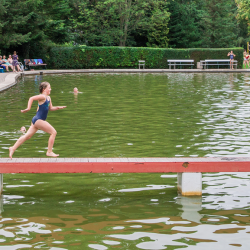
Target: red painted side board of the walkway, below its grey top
[{"x": 123, "y": 167}]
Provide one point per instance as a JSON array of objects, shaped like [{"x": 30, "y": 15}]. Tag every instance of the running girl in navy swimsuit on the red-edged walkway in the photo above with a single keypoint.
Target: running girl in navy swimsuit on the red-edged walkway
[{"x": 38, "y": 121}]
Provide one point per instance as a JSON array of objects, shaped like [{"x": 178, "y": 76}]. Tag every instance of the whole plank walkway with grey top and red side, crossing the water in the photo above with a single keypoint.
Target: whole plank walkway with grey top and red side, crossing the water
[{"x": 124, "y": 165}]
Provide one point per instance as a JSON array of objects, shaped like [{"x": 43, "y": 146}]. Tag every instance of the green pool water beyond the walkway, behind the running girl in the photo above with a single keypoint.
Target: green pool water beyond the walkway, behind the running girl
[{"x": 134, "y": 115}]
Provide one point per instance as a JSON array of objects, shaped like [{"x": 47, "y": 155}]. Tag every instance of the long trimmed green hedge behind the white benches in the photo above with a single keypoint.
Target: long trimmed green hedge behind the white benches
[{"x": 83, "y": 57}]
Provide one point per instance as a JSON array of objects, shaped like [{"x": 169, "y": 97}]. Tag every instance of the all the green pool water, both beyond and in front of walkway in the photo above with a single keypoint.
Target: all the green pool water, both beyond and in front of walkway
[{"x": 140, "y": 115}]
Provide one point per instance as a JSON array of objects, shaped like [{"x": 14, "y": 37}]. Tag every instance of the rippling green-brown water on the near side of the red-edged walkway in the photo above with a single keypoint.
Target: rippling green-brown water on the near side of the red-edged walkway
[{"x": 87, "y": 216}]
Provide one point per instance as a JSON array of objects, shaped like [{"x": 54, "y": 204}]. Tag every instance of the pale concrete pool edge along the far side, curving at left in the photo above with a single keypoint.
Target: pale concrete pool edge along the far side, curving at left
[{"x": 7, "y": 80}]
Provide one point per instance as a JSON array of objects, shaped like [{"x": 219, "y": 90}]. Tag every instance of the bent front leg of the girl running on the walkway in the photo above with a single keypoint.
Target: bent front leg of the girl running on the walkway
[{"x": 46, "y": 127}]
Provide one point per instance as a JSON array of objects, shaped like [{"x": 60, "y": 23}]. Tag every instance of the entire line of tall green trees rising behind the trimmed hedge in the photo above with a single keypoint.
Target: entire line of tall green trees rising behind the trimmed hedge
[{"x": 33, "y": 26}]
